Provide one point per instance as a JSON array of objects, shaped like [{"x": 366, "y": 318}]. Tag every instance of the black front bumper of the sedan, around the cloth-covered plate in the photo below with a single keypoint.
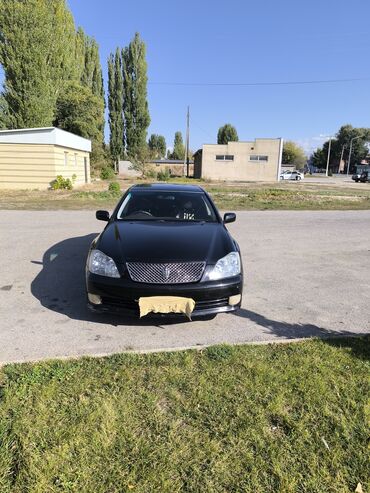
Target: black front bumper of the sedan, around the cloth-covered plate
[{"x": 122, "y": 295}]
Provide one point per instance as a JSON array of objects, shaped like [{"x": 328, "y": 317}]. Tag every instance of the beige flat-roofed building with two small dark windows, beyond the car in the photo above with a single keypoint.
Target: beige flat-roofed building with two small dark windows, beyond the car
[{"x": 259, "y": 160}]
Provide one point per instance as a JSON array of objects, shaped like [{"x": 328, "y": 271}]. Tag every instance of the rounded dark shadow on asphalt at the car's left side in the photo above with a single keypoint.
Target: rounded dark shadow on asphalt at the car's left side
[{"x": 60, "y": 285}]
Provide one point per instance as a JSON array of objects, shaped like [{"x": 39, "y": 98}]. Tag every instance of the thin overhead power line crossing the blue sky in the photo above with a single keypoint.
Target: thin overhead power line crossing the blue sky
[{"x": 246, "y": 84}]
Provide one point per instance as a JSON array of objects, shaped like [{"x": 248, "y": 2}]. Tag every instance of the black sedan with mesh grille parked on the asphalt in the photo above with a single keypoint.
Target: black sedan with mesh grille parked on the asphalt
[{"x": 164, "y": 240}]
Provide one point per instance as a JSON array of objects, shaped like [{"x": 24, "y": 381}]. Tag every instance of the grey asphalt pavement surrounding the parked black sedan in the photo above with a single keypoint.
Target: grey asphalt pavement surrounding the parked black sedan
[{"x": 306, "y": 274}]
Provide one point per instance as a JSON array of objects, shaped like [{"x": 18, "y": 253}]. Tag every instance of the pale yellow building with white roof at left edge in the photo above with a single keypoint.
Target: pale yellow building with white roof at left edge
[{"x": 33, "y": 157}]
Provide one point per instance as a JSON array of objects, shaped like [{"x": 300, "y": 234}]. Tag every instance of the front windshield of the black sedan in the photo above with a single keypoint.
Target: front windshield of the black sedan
[{"x": 166, "y": 206}]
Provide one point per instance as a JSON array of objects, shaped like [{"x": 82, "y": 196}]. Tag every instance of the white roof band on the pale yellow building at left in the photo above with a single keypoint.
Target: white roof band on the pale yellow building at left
[{"x": 45, "y": 135}]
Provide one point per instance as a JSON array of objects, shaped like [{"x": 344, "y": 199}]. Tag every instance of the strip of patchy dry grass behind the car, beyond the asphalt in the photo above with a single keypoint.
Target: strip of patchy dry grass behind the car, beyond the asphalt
[{"x": 284, "y": 196}]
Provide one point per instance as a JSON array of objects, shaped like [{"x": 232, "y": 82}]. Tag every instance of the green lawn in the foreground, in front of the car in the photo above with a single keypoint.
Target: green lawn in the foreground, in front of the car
[{"x": 278, "y": 418}]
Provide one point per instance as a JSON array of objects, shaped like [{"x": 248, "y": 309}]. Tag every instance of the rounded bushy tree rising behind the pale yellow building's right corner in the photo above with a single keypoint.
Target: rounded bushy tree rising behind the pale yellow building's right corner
[{"x": 79, "y": 111}]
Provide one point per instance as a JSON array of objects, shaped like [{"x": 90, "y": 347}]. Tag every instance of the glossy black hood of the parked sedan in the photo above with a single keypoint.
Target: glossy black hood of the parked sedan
[{"x": 146, "y": 241}]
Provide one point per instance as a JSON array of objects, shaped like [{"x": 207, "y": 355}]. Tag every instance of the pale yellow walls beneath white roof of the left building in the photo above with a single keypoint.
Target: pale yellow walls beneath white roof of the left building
[{"x": 30, "y": 166}]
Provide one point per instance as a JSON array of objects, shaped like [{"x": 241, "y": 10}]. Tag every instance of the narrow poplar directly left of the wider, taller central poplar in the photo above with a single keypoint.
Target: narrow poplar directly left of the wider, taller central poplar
[{"x": 115, "y": 105}]
